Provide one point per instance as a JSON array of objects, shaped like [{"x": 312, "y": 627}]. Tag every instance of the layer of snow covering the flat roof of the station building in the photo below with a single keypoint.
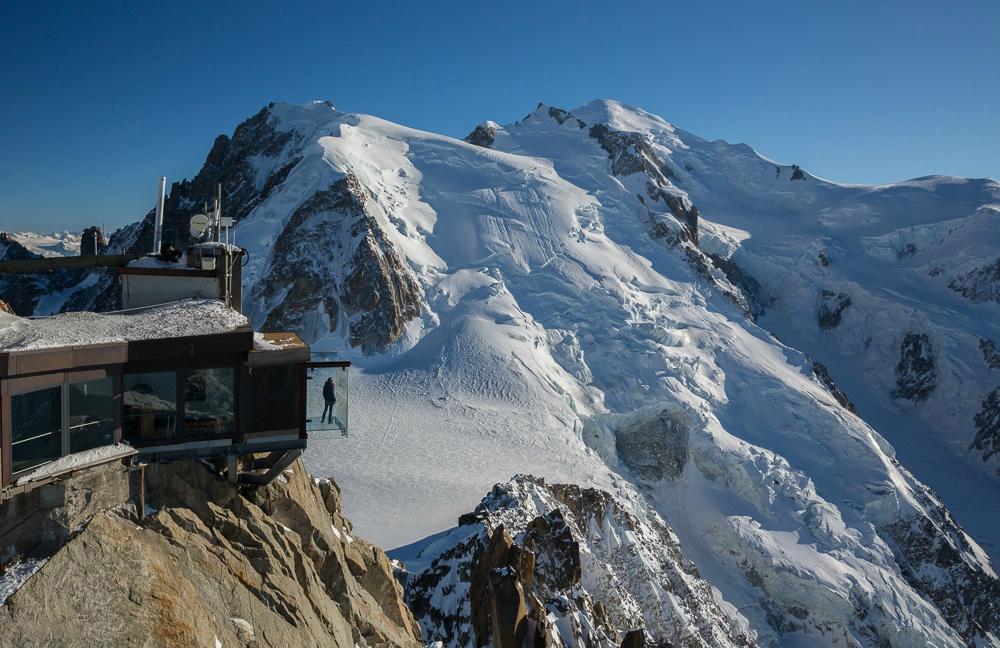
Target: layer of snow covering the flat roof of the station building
[{"x": 178, "y": 319}]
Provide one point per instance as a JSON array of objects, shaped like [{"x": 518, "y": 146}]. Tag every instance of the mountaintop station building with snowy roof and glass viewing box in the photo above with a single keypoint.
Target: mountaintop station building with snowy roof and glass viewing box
[{"x": 185, "y": 379}]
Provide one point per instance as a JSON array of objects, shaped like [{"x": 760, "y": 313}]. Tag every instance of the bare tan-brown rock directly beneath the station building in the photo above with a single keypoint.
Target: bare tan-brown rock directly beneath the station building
[{"x": 275, "y": 567}]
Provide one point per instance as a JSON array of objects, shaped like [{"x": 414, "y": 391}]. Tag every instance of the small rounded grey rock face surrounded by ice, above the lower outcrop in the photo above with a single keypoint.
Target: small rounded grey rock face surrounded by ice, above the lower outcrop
[{"x": 656, "y": 448}]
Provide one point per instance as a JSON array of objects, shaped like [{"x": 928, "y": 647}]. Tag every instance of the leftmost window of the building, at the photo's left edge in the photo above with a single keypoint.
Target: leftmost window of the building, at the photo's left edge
[{"x": 35, "y": 428}]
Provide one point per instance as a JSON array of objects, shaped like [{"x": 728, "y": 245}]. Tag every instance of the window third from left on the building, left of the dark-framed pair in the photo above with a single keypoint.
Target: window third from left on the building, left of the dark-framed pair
[{"x": 149, "y": 406}]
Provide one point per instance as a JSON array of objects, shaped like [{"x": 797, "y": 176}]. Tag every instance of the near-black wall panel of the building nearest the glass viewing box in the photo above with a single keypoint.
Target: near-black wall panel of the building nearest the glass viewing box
[{"x": 271, "y": 400}]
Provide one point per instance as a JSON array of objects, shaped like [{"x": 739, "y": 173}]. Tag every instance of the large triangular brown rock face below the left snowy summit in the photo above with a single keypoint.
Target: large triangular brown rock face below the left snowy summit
[{"x": 375, "y": 291}]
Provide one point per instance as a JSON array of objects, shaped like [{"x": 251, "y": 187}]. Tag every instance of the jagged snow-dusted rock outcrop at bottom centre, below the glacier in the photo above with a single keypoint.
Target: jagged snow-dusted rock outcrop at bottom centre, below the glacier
[{"x": 560, "y": 565}]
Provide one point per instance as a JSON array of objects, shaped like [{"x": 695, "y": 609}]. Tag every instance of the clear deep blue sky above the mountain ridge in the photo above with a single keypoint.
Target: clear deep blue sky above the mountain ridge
[{"x": 101, "y": 98}]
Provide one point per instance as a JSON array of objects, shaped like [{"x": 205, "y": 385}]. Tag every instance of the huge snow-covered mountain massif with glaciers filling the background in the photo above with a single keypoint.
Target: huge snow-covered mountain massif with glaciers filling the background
[{"x": 759, "y": 364}]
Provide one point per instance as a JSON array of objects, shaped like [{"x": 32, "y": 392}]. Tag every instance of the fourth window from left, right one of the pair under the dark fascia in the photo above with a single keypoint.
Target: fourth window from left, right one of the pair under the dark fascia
[{"x": 209, "y": 402}]
